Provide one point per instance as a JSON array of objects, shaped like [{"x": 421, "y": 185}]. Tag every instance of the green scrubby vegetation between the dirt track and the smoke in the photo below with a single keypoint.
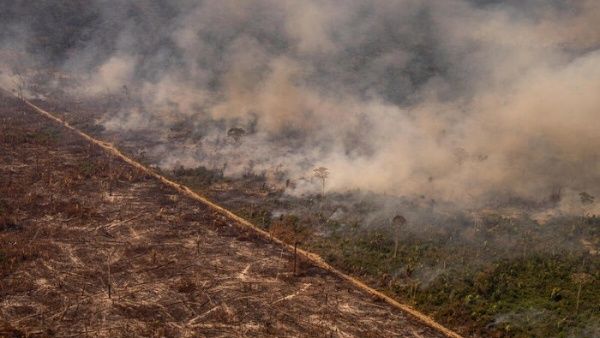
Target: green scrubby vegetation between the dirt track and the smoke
[{"x": 497, "y": 276}]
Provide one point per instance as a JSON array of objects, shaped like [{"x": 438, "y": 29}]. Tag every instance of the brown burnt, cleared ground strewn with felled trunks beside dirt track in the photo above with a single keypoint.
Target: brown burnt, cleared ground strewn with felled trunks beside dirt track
[{"x": 94, "y": 246}]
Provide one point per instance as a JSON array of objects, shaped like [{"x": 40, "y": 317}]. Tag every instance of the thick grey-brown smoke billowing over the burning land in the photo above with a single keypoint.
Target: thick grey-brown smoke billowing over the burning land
[{"x": 465, "y": 101}]
